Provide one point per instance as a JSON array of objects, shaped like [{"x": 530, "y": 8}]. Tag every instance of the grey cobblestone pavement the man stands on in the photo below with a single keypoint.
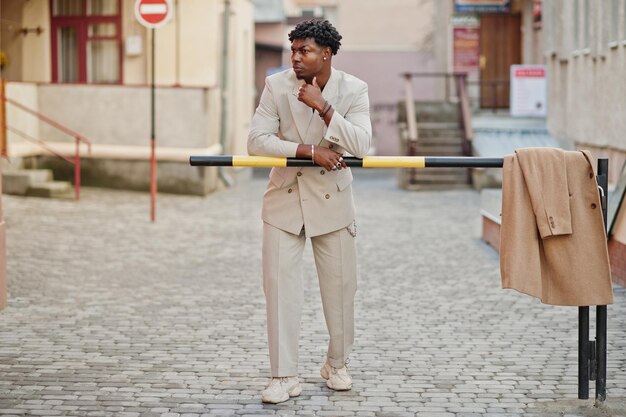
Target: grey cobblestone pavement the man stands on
[{"x": 110, "y": 315}]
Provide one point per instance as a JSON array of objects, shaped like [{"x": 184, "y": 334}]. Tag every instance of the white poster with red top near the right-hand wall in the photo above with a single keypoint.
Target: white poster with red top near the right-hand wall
[{"x": 528, "y": 90}]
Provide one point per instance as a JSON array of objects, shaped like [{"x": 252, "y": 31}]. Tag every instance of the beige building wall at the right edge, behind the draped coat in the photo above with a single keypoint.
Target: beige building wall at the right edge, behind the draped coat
[{"x": 585, "y": 51}]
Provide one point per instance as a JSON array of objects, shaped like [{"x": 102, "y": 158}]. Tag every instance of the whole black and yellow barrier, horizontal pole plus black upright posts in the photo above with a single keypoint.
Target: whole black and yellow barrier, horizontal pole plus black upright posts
[{"x": 591, "y": 354}]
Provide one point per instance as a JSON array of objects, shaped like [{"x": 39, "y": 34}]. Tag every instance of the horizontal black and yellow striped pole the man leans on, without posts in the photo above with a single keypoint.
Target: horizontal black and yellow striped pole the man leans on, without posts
[{"x": 367, "y": 162}]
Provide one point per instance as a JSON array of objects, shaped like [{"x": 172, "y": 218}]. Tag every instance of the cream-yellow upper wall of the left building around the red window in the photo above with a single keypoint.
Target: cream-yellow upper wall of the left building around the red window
[{"x": 188, "y": 53}]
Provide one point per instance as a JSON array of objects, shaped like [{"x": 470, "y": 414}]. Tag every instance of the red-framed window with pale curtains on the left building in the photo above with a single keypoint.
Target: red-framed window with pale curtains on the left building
[{"x": 86, "y": 41}]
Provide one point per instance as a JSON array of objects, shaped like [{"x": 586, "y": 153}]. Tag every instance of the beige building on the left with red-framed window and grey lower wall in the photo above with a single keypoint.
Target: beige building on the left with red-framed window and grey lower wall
[{"x": 87, "y": 65}]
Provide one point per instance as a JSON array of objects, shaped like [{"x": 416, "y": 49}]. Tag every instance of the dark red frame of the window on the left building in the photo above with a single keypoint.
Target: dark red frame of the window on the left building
[{"x": 81, "y": 23}]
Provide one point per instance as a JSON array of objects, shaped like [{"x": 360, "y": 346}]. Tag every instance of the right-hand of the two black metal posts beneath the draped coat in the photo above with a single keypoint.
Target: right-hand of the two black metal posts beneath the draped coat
[{"x": 601, "y": 311}]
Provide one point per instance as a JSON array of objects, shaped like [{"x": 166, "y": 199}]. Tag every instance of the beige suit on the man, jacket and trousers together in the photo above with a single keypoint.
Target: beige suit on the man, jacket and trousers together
[{"x": 309, "y": 202}]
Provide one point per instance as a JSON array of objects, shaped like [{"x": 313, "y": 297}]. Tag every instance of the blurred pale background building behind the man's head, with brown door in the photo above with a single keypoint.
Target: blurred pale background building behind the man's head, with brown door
[{"x": 382, "y": 41}]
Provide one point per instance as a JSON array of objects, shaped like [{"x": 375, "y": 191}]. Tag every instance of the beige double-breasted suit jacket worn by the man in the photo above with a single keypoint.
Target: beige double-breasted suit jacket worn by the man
[{"x": 318, "y": 199}]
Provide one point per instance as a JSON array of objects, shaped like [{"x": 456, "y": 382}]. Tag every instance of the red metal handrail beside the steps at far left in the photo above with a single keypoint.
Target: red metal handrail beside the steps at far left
[{"x": 77, "y": 137}]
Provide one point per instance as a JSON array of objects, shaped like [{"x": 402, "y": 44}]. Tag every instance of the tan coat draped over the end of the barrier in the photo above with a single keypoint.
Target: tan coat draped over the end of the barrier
[{"x": 553, "y": 242}]
